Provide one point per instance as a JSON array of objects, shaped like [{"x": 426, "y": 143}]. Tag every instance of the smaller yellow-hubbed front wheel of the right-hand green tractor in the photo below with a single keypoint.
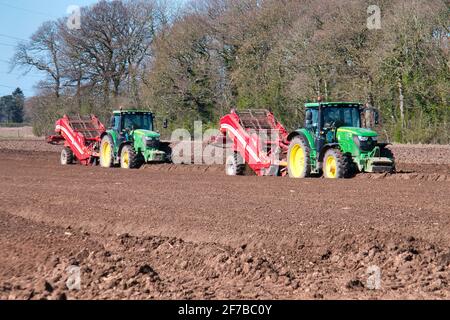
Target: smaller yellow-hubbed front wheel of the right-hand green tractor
[{"x": 337, "y": 165}]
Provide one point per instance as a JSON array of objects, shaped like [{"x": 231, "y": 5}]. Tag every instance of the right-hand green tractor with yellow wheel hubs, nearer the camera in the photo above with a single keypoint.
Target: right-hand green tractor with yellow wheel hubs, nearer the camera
[{"x": 336, "y": 142}]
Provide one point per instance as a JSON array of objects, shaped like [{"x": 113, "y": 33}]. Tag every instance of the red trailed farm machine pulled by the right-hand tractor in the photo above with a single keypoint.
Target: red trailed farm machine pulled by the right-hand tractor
[{"x": 259, "y": 138}]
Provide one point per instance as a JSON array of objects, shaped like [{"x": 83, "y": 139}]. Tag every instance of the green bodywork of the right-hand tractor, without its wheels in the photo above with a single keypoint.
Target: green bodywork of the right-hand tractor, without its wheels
[{"x": 346, "y": 138}]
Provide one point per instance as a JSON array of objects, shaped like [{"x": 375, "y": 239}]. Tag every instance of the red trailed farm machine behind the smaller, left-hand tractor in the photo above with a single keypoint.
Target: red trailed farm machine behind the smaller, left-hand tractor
[{"x": 81, "y": 135}]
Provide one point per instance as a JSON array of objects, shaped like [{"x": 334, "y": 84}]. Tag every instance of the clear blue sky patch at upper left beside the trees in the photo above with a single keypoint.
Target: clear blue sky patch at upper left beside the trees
[{"x": 19, "y": 19}]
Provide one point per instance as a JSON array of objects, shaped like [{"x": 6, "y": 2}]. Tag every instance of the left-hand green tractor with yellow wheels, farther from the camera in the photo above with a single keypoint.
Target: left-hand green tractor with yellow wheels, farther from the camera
[{"x": 131, "y": 141}]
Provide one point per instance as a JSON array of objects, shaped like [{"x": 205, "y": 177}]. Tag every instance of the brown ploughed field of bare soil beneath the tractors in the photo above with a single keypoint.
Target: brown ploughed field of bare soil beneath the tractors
[{"x": 190, "y": 232}]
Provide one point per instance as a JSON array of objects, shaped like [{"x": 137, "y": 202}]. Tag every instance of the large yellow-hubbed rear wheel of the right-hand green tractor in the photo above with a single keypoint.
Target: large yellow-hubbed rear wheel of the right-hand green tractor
[{"x": 299, "y": 165}]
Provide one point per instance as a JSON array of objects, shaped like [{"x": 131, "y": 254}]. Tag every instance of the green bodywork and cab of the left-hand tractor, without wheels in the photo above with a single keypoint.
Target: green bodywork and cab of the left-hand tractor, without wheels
[{"x": 145, "y": 141}]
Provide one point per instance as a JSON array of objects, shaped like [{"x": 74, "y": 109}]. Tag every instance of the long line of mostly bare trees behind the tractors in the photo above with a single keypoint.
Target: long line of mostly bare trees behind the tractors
[{"x": 197, "y": 61}]
